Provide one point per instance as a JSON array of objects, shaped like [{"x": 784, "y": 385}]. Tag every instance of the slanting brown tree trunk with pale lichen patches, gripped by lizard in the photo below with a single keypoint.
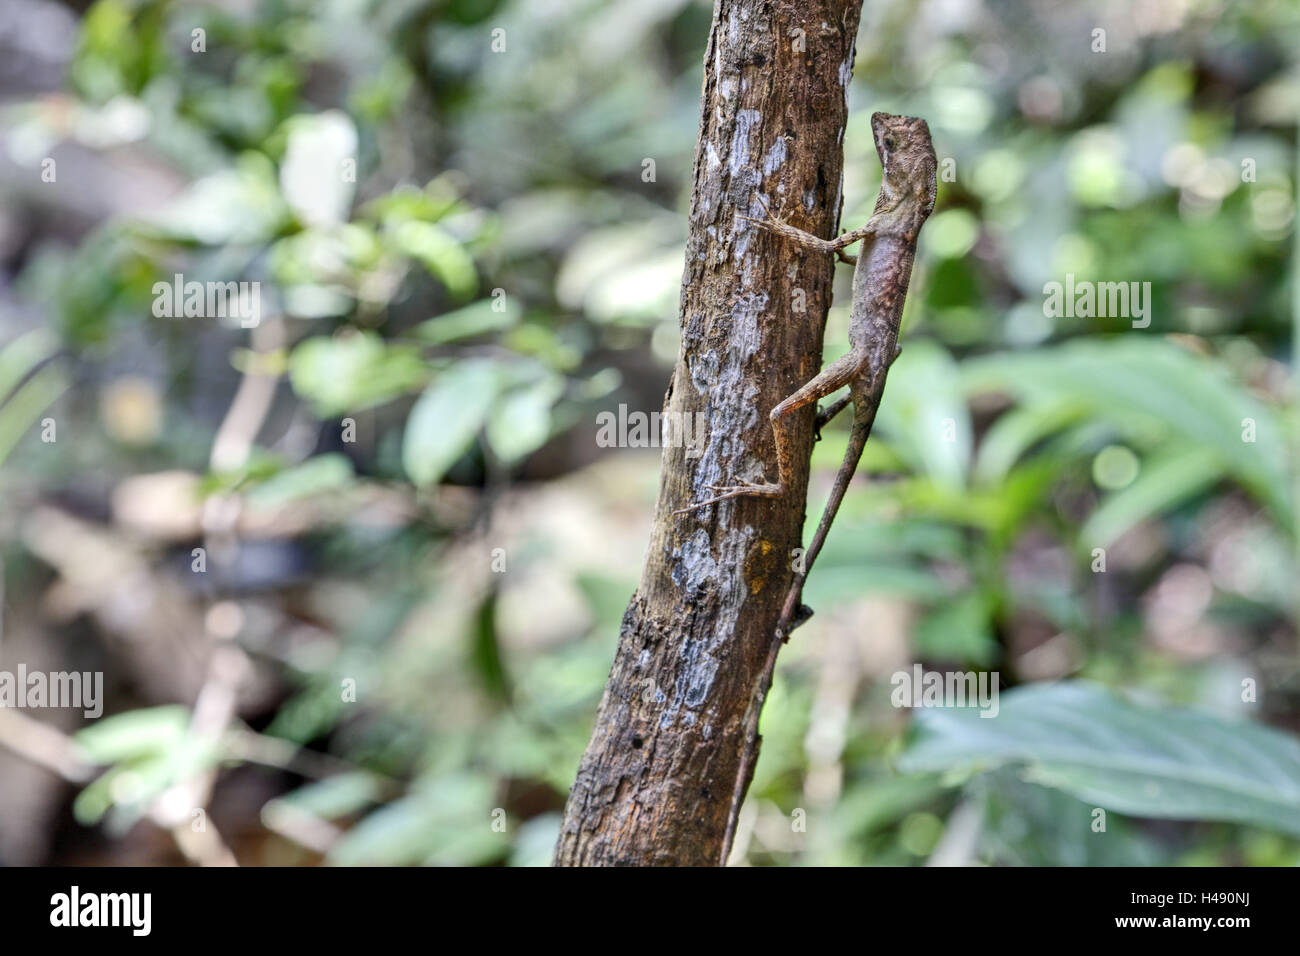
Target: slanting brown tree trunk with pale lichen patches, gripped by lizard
[{"x": 675, "y": 741}]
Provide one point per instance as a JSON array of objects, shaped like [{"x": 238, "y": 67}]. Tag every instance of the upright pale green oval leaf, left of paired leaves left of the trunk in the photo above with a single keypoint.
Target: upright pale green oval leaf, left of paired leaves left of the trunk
[{"x": 447, "y": 419}]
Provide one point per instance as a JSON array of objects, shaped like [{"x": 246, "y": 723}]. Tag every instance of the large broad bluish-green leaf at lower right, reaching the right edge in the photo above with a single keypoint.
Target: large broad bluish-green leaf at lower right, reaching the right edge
[{"x": 1136, "y": 759}]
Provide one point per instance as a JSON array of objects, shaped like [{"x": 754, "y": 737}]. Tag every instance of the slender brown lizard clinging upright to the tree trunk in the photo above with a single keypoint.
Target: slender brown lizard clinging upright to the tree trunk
[{"x": 881, "y": 278}]
